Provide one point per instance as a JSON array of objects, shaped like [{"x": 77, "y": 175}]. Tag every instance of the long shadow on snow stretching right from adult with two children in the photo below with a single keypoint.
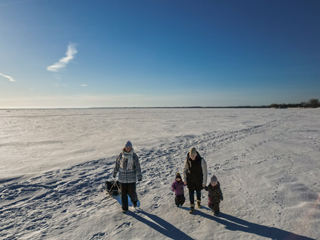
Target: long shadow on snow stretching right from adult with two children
[{"x": 236, "y": 224}]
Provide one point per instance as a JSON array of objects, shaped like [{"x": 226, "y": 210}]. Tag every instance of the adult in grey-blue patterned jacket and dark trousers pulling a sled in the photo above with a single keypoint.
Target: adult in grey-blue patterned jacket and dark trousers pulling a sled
[{"x": 128, "y": 166}]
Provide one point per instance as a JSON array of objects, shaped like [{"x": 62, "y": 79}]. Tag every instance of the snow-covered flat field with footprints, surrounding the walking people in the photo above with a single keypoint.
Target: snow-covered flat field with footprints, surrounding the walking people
[{"x": 55, "y": 162}]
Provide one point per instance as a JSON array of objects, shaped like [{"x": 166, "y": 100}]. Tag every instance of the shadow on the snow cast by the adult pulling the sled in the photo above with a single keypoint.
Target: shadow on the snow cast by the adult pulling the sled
[{"x": 160, "y": 225}]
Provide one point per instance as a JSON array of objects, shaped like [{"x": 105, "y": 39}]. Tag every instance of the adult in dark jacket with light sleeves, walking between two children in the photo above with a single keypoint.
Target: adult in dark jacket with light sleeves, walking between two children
[{"x": 195, "y": 176}]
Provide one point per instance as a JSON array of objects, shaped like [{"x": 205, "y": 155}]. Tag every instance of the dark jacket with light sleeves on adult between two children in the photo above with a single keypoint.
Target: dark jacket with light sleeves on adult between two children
[{"x": 195, "y": 172}]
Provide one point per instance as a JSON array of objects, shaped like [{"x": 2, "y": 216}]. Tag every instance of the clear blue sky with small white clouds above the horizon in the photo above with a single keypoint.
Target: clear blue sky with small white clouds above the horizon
[{"x": 145, "y": 53}]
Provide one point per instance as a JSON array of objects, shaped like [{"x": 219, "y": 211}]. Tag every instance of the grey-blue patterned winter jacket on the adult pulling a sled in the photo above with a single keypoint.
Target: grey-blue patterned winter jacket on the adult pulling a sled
[{"x": 127, "y": 174}]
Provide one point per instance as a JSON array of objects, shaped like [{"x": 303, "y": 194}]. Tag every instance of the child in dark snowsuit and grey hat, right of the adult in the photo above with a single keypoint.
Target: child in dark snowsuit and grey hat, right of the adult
[{"x": 215, "y": 195}]
